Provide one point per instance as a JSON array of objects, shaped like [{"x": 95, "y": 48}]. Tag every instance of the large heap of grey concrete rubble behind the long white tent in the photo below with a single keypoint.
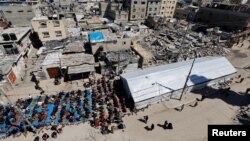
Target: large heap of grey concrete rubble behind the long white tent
[{"x": 173, "y": 45}]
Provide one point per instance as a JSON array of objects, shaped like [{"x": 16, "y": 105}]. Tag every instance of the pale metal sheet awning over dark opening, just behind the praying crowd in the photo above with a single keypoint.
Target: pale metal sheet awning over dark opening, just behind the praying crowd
[{"x": 81, "y": 69}]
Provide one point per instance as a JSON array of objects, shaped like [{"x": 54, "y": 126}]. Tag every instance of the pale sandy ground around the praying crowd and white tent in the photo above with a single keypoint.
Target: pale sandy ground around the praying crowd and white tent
[{"x": 189, "y": 124}]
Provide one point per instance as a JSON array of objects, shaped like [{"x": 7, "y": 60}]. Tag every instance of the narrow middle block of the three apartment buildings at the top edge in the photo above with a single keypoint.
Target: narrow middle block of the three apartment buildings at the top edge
[{"x": 153, "y": 7}]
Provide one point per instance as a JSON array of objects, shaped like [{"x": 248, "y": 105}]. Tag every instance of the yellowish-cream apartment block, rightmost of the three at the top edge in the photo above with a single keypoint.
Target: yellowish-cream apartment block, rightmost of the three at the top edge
[{"x": 168, "y": 8}]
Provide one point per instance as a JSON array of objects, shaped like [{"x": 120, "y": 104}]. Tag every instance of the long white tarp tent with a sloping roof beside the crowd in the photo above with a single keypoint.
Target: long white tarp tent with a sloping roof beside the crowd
[{"x": 150, "y": 85}]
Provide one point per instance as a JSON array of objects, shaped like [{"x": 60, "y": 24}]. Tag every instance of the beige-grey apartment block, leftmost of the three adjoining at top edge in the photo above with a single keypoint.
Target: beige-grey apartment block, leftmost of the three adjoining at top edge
[{"x": 137, "y": 10}]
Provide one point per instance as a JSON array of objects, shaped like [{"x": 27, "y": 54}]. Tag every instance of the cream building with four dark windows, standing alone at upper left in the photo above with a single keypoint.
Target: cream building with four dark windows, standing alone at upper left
[{"x": 49, "y": 28}]
